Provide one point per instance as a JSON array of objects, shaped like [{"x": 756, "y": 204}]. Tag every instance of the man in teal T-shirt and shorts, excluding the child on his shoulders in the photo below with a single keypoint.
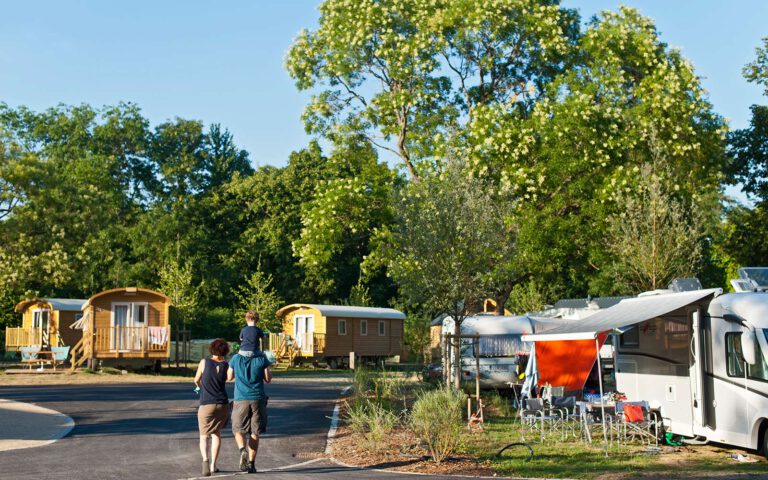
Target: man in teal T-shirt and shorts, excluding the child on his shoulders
[{"x": 249, "y": 414}]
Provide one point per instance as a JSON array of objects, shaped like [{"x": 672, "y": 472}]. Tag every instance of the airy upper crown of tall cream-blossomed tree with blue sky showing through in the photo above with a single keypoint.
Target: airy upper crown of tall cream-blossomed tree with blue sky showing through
[{"x": 406, "y": 75}]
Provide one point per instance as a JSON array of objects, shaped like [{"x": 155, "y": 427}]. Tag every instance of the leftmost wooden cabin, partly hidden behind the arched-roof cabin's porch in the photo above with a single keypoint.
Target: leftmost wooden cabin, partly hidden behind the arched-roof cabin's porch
[{"x": 45, "y": 322}]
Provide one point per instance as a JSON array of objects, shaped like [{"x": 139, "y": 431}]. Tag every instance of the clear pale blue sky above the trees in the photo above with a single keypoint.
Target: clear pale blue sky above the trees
[{"x": 222, "y": 62}]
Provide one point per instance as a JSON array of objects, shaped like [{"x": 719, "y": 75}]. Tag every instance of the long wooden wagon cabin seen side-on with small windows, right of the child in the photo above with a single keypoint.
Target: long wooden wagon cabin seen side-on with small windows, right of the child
[{"x": 331, "y": 332}]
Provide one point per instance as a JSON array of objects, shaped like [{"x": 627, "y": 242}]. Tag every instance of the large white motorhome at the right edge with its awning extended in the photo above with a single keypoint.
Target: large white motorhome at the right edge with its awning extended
[{"x": 700, "y": 357}]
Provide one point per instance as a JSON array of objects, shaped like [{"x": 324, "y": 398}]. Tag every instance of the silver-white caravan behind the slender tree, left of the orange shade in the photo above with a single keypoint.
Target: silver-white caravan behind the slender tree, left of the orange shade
[{"x": 500, "y": 348}]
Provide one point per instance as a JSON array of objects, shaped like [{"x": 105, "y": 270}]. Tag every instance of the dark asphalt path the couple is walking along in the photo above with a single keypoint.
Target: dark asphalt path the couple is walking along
[{"x": 149, "y": 431}]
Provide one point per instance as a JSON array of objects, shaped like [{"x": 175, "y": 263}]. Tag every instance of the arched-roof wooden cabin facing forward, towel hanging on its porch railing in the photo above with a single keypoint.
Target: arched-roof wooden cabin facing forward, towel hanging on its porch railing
[{"x": 124, "y": 324}]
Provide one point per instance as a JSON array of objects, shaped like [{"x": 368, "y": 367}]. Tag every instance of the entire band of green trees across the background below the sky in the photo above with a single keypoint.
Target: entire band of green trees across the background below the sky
[{"x": 538, "y": 158}]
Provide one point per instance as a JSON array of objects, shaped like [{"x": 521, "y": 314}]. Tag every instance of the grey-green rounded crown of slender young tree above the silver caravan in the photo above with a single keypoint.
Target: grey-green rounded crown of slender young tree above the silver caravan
[{"x": 451, "y": 244}]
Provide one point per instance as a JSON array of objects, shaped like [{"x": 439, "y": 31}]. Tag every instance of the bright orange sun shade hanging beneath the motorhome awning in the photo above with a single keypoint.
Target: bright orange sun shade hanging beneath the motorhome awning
[{"x": 566, "y": 363}]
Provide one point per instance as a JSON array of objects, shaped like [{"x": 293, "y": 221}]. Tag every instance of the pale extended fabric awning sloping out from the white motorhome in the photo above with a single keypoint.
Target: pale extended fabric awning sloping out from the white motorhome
[{"x": 618, "y": 318}]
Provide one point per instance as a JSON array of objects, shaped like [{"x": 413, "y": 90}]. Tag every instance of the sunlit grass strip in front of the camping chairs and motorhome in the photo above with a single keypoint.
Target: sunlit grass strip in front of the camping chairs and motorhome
[{"x": 555, "y": 458}]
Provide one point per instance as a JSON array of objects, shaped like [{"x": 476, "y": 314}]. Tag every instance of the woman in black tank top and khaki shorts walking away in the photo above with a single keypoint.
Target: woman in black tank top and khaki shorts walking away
[{"x": 212, "y": 415}]
